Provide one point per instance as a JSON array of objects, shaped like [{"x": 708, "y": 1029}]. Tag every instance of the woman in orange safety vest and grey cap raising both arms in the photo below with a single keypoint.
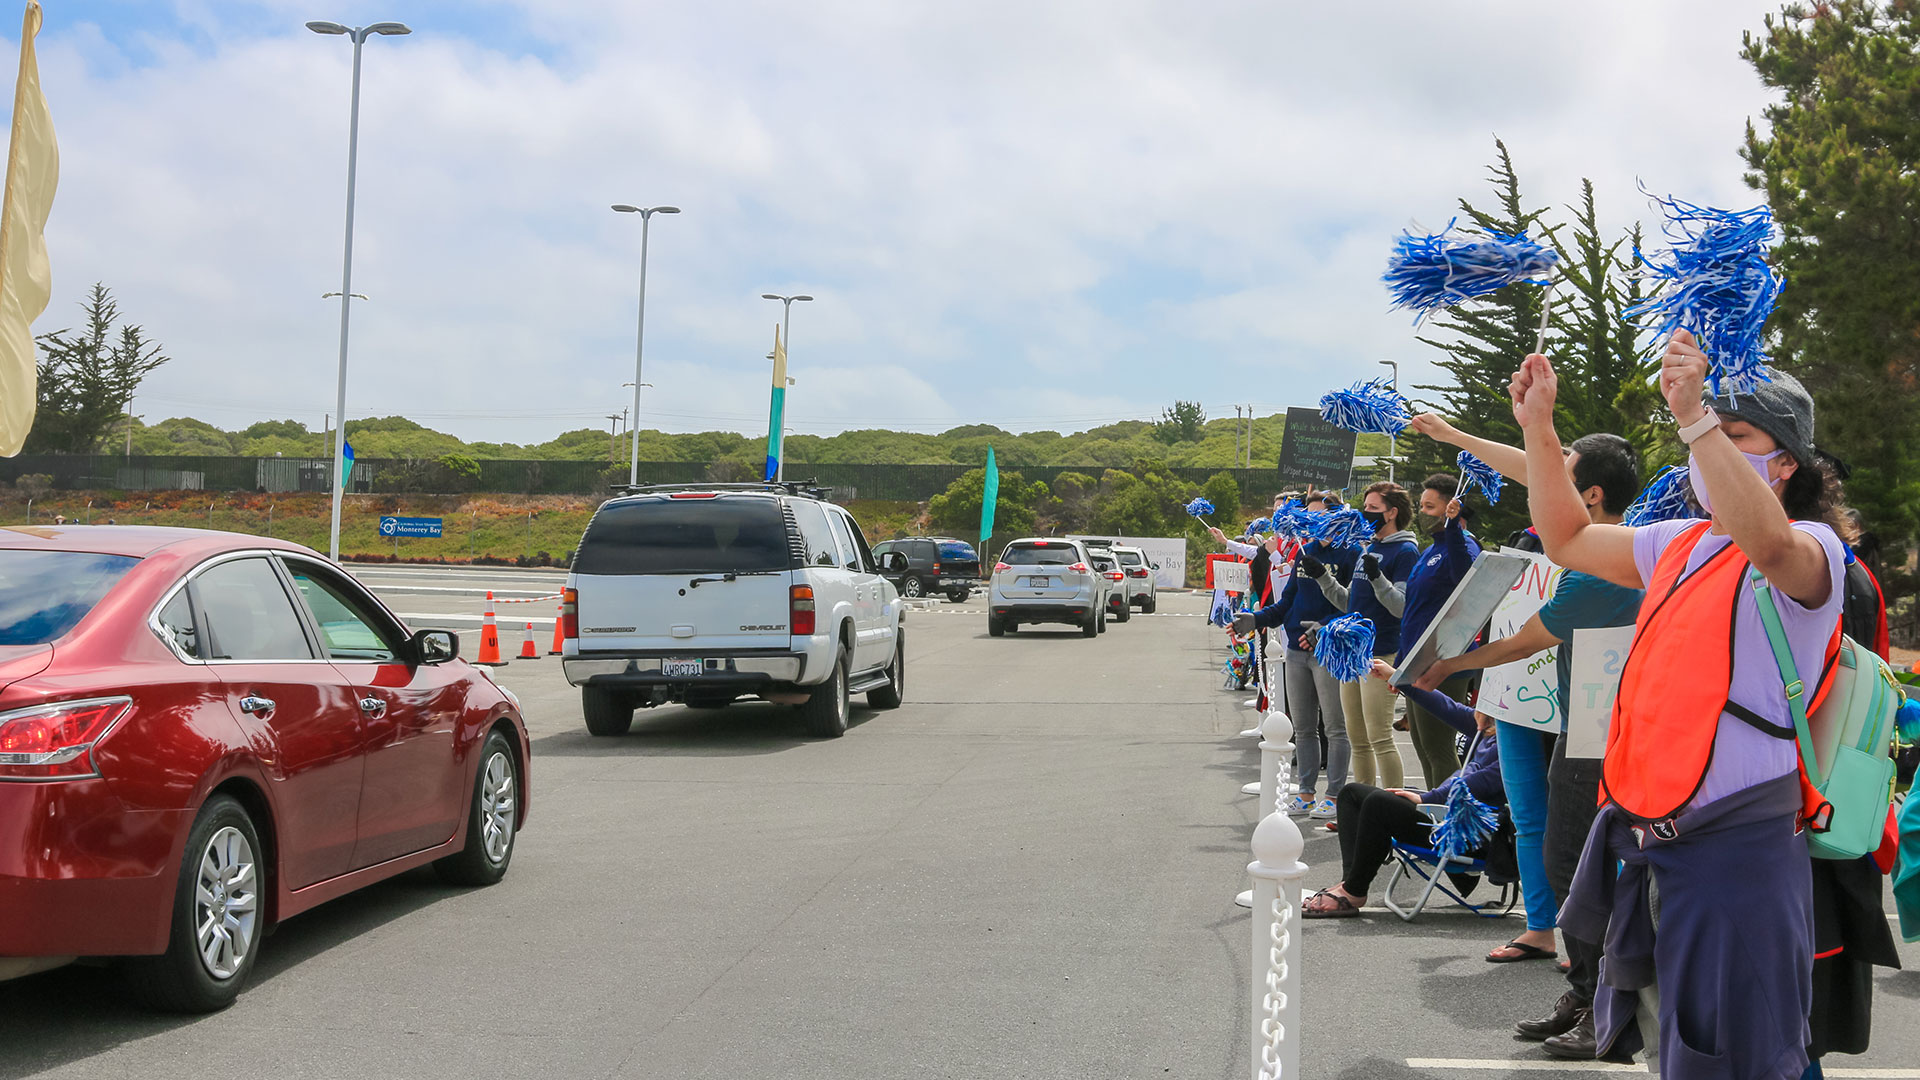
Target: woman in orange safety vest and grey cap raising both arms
[{"x": 1702, "y": 770}]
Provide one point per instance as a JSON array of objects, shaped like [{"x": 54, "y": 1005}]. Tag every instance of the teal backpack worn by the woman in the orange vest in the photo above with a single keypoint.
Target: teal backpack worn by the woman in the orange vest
[{"x": 1846, "y": 745}]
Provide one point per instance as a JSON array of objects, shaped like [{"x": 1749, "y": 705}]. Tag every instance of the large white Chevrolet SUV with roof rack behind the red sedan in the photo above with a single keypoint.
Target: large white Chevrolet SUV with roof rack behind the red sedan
[{"x": 706, "y": 595}]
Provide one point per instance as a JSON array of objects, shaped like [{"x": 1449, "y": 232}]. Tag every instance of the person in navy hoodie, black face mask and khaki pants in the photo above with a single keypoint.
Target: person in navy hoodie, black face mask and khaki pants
[{"x": 1378, "y": 593}]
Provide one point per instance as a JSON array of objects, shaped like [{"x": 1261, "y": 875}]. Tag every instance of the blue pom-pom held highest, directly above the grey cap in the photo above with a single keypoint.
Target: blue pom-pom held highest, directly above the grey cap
[{"x": 1717, "y": 285}]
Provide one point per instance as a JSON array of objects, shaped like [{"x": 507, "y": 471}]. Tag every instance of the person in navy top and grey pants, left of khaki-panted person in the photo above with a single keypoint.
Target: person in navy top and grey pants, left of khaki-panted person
[{"x": 1312, "y": 693}]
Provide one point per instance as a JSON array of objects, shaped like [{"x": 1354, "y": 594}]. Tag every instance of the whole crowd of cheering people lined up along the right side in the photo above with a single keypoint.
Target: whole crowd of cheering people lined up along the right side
[{"x": 1623, "y": 862}]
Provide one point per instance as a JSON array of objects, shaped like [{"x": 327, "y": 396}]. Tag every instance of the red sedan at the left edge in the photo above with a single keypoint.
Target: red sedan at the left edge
[{"x": 204, "y": 733}]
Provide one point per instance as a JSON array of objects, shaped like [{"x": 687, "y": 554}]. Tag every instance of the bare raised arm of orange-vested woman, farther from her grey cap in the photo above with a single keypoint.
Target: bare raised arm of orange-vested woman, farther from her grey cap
[{"x": 1570, "y": 537}]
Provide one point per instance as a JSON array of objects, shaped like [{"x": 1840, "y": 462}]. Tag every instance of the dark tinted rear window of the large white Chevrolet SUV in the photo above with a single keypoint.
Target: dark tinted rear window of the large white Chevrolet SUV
[{"x": 686, "y": 537}]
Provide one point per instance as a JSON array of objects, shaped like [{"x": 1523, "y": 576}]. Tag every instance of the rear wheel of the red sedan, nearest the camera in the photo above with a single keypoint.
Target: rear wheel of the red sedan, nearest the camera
[{"x": 224, "y": 860}]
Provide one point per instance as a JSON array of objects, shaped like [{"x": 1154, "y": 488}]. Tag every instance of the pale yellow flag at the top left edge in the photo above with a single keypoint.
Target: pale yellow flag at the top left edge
[{"x": 26, "y": 280}]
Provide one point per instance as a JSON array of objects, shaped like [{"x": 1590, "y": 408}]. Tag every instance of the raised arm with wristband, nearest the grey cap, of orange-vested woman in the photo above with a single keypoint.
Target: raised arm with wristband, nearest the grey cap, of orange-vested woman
[{"x": 1744, "y": 504}]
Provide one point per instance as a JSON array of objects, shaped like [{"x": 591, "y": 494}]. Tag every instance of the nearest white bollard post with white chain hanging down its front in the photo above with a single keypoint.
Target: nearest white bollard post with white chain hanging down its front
[{"x": 1276, "y": 954}]
